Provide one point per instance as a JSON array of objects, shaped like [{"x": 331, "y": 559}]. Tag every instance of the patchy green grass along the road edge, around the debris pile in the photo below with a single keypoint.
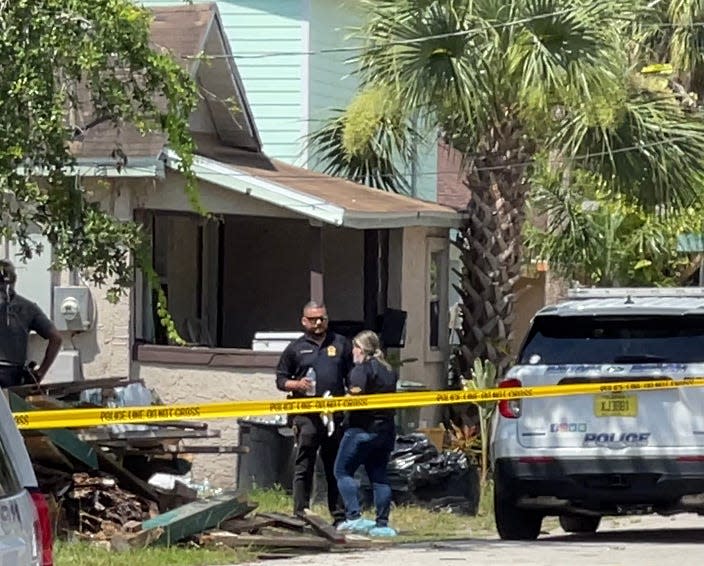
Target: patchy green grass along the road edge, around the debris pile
[{"x": 414, "y": 524}]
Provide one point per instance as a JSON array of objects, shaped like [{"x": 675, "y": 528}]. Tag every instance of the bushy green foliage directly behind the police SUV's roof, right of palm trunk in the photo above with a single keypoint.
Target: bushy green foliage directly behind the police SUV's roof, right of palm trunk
[{"x": 597, "y": 237}]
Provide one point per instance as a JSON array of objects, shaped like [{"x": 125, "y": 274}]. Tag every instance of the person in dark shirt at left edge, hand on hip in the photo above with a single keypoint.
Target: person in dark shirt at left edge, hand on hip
[{"x": 19, "y": 316}]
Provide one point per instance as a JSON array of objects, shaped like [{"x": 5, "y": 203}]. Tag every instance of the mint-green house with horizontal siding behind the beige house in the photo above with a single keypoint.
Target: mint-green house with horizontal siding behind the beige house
[{"x": 293, "y": 57}]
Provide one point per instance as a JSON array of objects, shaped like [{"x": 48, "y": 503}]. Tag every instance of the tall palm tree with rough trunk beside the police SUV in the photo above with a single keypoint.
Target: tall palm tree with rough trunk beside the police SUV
[{"x": 507, "y": 82}]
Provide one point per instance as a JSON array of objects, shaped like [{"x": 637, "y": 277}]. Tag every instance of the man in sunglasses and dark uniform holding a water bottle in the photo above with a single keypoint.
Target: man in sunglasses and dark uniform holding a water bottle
[{"x": 328, "y": 357}]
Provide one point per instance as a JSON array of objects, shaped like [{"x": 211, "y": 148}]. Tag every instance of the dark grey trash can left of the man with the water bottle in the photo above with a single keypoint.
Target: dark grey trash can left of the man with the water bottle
[{"x": 269, "y": 461}]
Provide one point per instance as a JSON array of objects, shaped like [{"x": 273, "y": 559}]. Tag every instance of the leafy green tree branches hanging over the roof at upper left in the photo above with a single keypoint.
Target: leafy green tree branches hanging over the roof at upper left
[{"x": 70, "y": 66}]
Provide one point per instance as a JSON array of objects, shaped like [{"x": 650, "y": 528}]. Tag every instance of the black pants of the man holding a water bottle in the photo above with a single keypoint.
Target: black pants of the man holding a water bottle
[{"x": 312, "y": 436}]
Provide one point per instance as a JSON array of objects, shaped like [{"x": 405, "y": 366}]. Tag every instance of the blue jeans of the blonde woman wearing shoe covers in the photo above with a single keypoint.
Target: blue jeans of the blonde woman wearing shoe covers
[{"x": 371, "y": 450}]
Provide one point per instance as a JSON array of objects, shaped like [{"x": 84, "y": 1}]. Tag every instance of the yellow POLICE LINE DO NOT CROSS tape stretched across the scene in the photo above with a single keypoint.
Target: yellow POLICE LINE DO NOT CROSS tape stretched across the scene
[{"x": 91, "y": 417}]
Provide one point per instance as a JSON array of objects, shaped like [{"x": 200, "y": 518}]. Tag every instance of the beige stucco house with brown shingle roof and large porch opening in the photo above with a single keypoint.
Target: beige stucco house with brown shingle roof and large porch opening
[{"x": 280, "y": 235}]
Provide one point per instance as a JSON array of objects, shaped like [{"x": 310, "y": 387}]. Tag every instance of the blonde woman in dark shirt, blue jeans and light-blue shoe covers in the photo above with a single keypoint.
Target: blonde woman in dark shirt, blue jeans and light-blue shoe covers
[{"x": 368, "y": 439}]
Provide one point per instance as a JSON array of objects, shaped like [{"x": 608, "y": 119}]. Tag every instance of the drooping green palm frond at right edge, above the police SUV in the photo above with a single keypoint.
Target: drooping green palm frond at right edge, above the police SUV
[{"x": 652, "y": 150}]
